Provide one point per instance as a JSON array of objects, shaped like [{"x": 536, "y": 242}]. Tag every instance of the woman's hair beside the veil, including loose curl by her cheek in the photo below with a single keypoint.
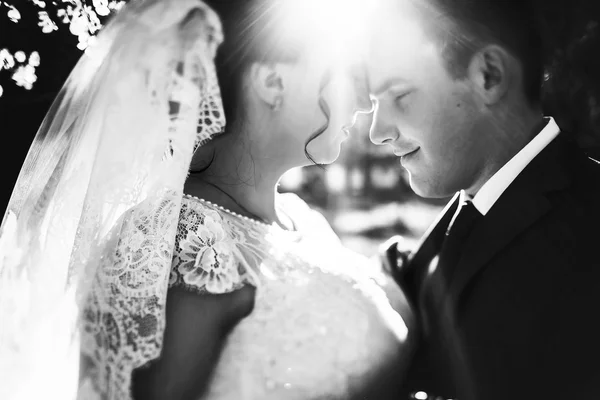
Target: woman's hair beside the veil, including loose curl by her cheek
[{"x": 253, "y": 35}]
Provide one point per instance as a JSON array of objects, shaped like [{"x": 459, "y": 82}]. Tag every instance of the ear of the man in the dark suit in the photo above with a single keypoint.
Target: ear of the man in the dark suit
[{"x": 491, "y": 70}]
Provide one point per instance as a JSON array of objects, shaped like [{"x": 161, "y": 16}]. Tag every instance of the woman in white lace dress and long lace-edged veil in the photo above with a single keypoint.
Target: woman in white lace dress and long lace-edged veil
[{"x": 207, "y": 284}]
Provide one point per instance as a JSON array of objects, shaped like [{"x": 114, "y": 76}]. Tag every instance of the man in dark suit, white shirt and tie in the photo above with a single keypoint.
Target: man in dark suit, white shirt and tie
[{"x": 506, "y": 283}]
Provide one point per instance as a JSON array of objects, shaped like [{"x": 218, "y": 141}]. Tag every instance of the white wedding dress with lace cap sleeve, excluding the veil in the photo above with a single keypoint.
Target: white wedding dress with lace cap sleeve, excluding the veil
[{"x": 321, "y": 328}]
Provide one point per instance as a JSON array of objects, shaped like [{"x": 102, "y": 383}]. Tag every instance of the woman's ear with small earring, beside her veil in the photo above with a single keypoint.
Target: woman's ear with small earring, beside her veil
[{"x": 267, "y": 82}]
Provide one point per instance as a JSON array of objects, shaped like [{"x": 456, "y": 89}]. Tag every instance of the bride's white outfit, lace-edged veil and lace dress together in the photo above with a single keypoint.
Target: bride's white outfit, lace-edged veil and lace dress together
[{"x": 97, "y": 229}]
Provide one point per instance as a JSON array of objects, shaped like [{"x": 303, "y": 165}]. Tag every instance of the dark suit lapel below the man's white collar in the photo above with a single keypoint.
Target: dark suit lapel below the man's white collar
[{"x": 523, "y": 203}]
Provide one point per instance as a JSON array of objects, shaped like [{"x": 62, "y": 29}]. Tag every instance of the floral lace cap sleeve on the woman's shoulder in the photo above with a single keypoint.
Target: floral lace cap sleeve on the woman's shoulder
[{"x": 206, "y": 258}]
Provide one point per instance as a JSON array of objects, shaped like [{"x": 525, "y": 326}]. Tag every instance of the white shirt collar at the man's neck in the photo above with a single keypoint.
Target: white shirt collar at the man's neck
[{"x": 491, "y": 191}]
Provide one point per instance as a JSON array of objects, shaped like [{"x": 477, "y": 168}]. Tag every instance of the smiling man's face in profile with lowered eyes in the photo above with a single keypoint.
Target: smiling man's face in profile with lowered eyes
[{"x": 428, "y": 118}]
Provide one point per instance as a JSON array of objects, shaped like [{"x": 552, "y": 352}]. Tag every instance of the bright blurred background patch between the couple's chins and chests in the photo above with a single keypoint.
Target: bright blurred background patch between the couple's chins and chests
[{"x": 365, "y": 195}]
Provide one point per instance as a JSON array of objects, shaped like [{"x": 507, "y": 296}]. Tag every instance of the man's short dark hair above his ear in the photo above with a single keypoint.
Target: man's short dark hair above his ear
[{"x": 460, "y": 27}]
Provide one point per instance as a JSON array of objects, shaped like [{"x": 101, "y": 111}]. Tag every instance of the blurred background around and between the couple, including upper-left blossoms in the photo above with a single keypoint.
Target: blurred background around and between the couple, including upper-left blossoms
[{"x": 365, "y": 194}]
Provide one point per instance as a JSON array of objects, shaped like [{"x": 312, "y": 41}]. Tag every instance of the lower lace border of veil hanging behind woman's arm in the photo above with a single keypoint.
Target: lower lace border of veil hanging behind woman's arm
[{"x": 123, "y": 320}]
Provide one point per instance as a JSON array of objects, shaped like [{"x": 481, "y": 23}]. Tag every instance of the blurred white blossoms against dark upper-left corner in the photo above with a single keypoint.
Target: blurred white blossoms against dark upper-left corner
[{"x": 54, "y": 32}]
